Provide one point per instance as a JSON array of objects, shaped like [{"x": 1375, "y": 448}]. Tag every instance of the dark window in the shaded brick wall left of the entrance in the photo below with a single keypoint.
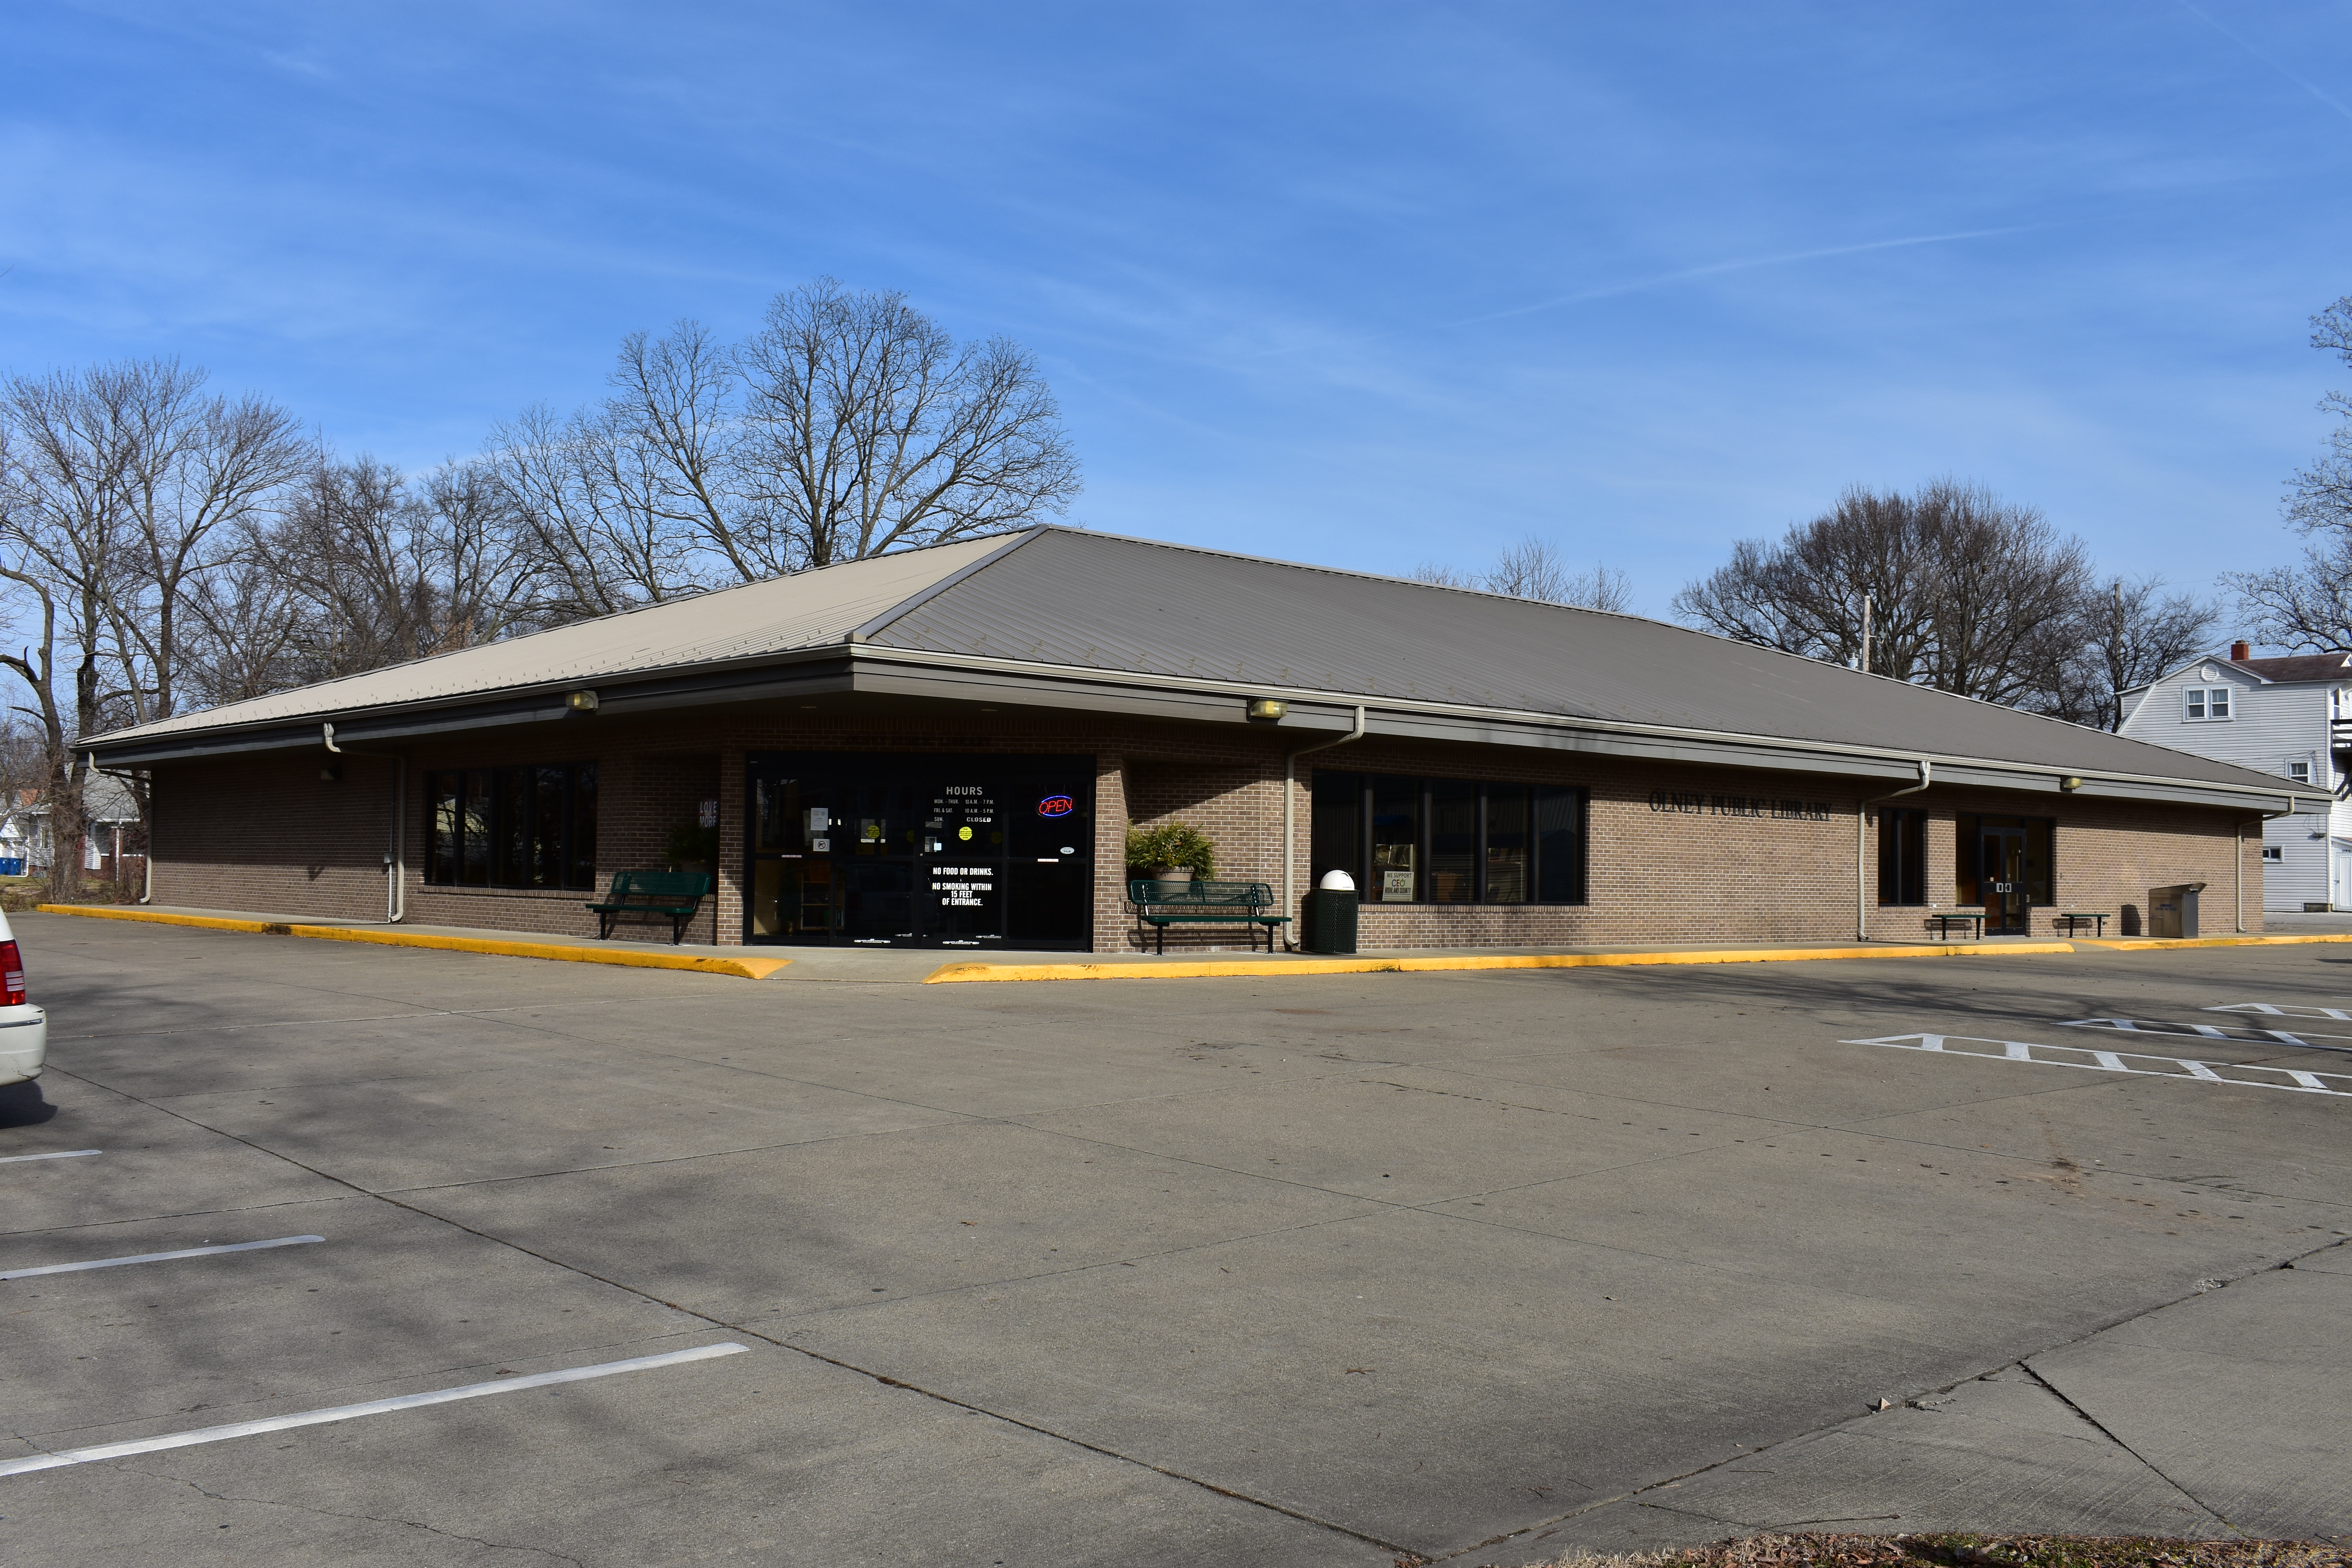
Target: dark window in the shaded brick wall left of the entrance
[{"x": 512, "y": 826}]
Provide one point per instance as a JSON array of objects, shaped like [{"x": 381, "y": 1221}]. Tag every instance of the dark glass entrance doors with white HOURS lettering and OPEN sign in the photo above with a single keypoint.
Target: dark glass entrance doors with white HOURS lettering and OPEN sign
[{"x": 921, "y": 852}]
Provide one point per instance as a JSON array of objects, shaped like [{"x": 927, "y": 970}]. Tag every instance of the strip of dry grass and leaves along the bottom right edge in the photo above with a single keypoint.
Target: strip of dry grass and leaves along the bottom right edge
[{"x": 1975, "y": 1553}]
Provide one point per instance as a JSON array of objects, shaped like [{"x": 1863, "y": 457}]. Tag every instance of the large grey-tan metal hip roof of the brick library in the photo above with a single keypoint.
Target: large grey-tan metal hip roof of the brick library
[{"x": 1109, "y": 622}]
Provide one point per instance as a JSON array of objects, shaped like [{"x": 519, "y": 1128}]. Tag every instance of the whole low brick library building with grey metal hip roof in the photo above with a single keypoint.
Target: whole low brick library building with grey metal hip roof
[{"x": 947, "y": 749}]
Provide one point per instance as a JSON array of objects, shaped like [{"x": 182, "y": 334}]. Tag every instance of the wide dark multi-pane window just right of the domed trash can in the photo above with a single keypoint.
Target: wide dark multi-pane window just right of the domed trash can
[{"x": 1450, "y": 840}]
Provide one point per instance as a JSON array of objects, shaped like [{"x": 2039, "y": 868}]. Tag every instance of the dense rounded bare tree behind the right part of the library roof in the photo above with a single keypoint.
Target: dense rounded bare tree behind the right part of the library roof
[{"x": 1967, "y": 594}]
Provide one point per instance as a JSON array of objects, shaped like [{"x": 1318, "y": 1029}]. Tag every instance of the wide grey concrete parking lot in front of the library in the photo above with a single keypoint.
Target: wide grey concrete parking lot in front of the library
[{"x": 1304, "y": 1271}]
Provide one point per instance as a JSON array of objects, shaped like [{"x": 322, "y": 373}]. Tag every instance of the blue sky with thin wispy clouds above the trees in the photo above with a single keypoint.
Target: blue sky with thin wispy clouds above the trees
[{"x": 1368, "y": 286}]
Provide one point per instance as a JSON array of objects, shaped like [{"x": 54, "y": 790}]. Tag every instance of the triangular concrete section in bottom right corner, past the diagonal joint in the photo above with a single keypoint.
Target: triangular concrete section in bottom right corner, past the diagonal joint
[{"x": 2212, "y": 1419}]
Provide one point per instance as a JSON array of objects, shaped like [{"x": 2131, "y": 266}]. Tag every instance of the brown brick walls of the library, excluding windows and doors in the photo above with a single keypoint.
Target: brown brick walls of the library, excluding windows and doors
[{"x": 272, "y": 836}]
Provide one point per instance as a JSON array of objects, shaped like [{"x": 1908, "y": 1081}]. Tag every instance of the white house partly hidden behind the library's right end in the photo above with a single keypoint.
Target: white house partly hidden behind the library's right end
[{"x": 2280, "y": 716}]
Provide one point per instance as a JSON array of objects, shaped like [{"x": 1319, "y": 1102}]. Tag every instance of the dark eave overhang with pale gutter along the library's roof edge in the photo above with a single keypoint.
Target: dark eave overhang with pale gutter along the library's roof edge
[{"x": 874, "y": 669}]
